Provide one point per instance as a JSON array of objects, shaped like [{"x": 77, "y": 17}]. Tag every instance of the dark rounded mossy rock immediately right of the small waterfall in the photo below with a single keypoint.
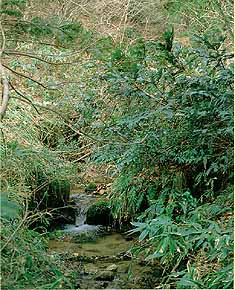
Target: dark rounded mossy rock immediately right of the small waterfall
[{"x": 99, "y": 214}]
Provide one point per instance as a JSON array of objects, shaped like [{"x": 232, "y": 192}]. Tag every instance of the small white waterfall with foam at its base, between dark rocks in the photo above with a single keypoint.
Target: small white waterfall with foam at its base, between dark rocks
[{"x": 83, "y": 202}]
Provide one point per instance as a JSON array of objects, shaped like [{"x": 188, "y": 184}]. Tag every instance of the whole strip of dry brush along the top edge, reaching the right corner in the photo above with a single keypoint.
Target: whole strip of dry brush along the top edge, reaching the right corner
[{"x": 148, "y": 17}]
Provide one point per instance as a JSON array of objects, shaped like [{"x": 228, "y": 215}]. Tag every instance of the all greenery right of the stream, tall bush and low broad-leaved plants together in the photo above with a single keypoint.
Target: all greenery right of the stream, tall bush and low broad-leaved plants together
[{"x": 171, "y": 138}]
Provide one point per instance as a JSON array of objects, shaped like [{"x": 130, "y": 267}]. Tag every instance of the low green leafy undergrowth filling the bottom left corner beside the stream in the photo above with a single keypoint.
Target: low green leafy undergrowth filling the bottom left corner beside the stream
[{"x": 25, "y": 263}]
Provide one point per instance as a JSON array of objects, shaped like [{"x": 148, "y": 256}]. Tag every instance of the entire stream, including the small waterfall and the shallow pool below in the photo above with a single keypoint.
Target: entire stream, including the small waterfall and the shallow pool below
[{"x": 101, "y": 258}]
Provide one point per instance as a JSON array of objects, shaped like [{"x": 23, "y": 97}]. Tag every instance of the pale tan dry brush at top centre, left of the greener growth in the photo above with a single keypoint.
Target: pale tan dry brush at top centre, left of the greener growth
[{"x": 108, "y": 17}]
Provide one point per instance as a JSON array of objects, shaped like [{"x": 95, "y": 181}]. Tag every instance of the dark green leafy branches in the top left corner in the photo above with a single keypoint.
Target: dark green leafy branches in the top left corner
[{"x": 40, "y": 27}]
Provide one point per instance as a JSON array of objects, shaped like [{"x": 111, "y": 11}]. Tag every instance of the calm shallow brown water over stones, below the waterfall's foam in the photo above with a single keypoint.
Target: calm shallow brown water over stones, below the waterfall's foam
[{"x": 103, "y": 253}]
